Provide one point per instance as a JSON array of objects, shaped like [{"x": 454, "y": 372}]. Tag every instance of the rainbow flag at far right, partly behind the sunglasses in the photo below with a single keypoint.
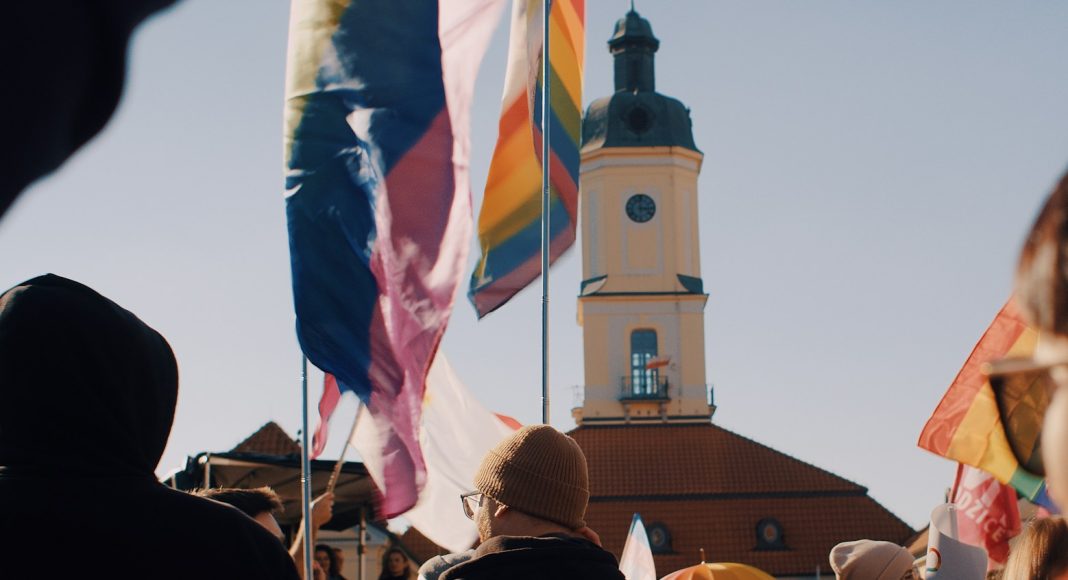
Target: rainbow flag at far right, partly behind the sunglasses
[{"x": 968, "y": 426}]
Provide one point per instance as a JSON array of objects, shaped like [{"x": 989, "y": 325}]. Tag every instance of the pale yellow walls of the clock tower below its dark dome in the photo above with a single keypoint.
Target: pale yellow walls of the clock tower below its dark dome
[{"x": 640, "y": 264}]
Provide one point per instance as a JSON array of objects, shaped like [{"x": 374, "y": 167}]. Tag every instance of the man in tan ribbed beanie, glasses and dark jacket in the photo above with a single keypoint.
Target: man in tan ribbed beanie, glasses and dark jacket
[{"x": 529, "y": 506}]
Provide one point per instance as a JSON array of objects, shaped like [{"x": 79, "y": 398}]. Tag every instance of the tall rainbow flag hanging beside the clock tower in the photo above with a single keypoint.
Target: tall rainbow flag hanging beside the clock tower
[{"x": 510, "y": 225}]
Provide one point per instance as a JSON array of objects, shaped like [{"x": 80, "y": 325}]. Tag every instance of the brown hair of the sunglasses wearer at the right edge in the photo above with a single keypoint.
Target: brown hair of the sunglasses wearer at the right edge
[{"x": 1042, "y": 274}]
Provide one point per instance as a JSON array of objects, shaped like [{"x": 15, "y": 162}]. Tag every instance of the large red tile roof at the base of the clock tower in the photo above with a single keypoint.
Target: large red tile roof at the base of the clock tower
[{"x": 711, "y": 488}]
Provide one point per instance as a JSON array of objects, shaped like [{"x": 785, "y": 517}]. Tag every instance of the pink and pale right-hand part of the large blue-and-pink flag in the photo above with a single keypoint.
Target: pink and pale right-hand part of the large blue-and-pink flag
[{"x": 425, "y": 228}]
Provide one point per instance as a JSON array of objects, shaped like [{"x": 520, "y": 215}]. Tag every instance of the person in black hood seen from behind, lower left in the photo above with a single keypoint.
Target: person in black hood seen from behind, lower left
[{"x": 87, "y": 400}]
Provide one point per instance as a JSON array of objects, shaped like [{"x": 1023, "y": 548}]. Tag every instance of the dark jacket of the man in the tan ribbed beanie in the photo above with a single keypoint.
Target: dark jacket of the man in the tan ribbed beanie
[{"x": 556, "y": 557}]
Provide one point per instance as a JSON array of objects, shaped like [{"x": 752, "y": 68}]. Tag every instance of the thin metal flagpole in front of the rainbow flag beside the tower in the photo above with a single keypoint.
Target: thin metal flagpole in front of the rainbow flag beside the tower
[{"x": 545, "y": 214}]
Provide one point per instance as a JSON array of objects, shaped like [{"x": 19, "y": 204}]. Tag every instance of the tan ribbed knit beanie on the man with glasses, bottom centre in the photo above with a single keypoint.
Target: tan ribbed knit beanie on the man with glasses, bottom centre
[{"x": 539, "y": 472}]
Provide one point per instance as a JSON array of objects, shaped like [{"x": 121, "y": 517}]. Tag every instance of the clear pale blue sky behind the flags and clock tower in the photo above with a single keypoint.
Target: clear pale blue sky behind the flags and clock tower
[{"x": 871, "y": 169}]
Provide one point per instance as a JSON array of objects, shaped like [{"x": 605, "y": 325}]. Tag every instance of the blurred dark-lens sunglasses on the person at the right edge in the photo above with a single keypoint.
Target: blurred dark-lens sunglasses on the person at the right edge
[{"x": 1023, "y": 391}]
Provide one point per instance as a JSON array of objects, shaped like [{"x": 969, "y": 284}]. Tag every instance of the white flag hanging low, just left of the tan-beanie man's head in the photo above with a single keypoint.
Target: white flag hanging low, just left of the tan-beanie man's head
[{"x": 457, "y": 433}]
